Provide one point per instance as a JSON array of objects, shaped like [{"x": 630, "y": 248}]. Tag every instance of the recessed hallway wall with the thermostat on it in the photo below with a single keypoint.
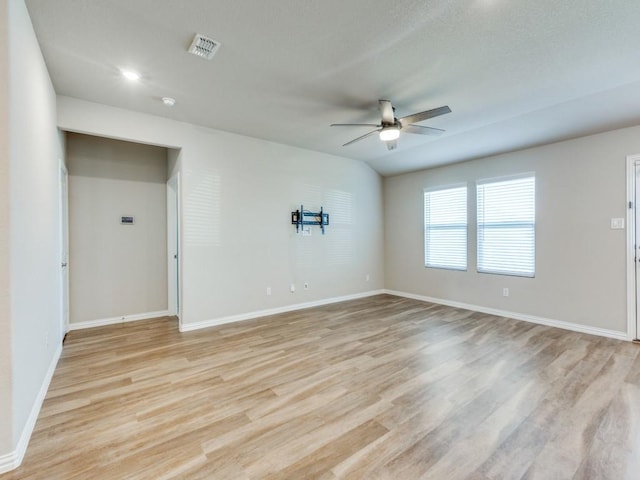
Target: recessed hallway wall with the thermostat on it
[{"x": 116, "y": 270}]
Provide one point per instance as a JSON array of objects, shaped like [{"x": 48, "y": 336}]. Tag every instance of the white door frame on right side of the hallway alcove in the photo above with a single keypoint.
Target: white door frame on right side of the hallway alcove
[{"x": 174, "y": 274}]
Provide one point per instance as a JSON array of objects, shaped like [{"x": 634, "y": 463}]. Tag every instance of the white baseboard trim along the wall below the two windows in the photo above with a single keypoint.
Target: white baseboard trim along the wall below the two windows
[{"x": 574, "y": 327}]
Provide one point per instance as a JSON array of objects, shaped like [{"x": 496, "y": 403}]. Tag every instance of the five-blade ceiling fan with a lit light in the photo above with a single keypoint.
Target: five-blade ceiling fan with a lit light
[{"x": 389, "y": 127}]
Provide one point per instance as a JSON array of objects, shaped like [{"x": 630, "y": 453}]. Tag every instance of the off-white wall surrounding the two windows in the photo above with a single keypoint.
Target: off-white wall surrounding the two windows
[{"x": 580, "y": 262}]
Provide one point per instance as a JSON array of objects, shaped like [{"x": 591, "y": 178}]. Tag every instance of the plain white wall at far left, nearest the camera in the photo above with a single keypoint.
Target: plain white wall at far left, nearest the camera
[{"x": 34, "y": 151}]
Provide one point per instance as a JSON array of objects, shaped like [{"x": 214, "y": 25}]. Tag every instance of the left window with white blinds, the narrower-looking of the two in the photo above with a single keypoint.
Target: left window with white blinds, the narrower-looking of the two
[{"x": 445, "y": 228}]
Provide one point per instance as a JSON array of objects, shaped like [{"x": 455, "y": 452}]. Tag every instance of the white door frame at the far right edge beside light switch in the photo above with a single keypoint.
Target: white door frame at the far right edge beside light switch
[{"x": 632, "y": 241}]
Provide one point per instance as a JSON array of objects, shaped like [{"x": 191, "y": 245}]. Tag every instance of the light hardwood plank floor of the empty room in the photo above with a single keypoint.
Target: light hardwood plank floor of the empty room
[{"x": 379, "y": 388}]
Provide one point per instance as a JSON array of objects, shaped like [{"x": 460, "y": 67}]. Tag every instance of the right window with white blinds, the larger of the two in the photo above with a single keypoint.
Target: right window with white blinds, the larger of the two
[{"x": 506, "y": 226}]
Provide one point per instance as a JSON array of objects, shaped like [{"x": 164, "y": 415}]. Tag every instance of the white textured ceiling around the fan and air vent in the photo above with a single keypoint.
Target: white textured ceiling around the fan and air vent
[{"x": 515, "y": 73}]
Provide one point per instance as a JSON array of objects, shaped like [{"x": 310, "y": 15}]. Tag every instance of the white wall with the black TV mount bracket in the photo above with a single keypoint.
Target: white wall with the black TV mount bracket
[{"x": 237, "y": 195}]
